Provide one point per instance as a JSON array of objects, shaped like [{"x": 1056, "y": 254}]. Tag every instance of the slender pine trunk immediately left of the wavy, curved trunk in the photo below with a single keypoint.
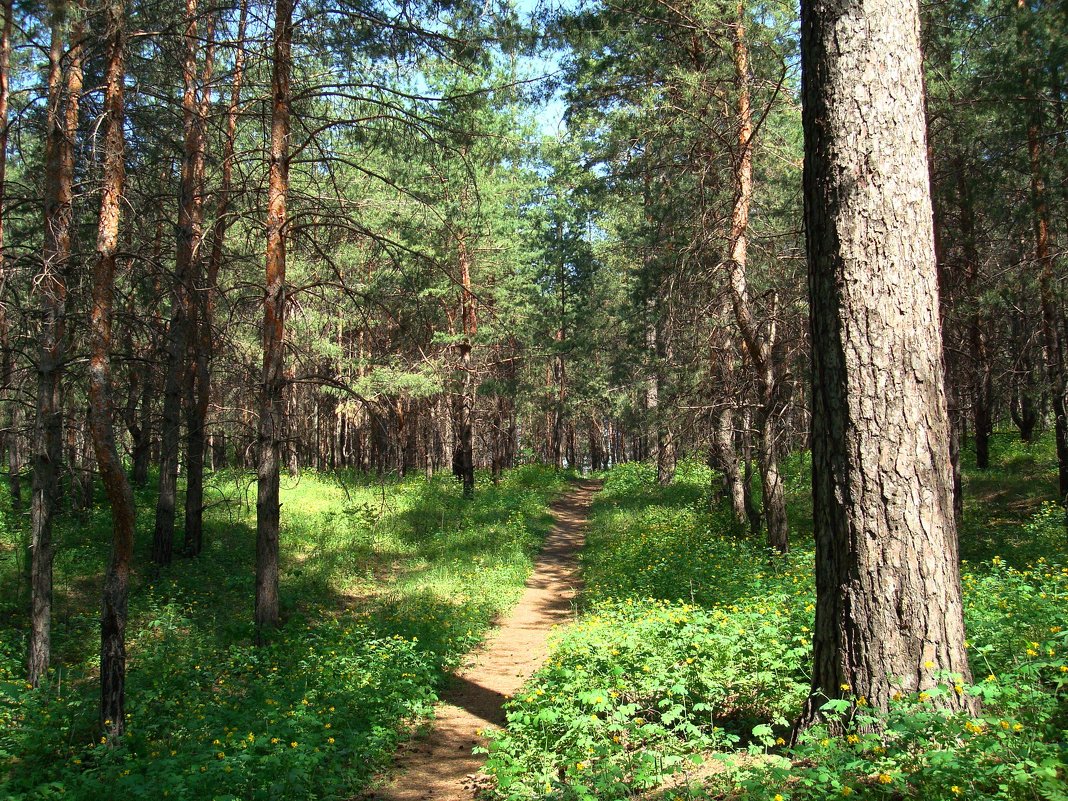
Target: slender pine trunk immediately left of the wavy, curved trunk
[{"x": 52, "y": 290}]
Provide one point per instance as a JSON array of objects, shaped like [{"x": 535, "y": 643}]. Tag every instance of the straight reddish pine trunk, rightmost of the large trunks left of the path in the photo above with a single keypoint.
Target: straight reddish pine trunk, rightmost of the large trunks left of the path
[{"x": 272, "y": 425}]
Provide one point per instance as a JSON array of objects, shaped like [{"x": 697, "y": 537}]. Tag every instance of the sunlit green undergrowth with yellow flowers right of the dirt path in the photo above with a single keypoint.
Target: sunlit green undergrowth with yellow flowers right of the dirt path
[{"x": 693, "y": 661}]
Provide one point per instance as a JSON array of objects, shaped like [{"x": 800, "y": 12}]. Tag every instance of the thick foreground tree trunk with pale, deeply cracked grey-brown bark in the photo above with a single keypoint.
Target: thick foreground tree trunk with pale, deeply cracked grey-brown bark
[{"x": 889, "y": 614}]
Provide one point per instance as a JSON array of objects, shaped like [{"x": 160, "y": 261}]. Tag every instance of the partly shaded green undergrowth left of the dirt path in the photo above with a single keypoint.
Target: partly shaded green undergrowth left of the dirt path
[{"x": 385, "y": 587}]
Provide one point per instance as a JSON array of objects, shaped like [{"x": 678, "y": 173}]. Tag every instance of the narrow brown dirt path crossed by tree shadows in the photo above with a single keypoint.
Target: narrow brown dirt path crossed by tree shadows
[{"x": 439, "y": 765}]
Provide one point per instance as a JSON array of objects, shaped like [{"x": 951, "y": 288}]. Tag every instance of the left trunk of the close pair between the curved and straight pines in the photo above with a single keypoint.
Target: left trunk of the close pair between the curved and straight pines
[{"x": 183, "y": 316}]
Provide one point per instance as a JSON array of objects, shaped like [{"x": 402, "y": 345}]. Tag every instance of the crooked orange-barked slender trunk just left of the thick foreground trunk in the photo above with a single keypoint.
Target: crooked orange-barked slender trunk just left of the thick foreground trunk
[{"x": 759, "y": 347}]
